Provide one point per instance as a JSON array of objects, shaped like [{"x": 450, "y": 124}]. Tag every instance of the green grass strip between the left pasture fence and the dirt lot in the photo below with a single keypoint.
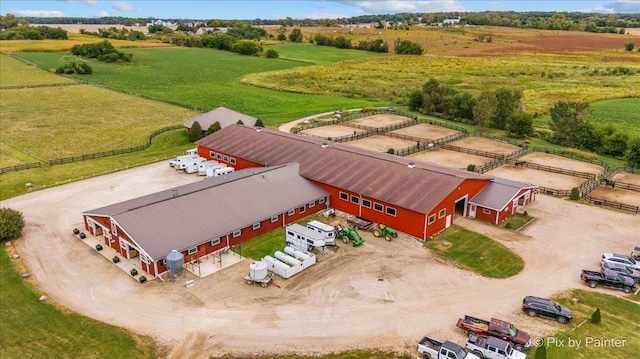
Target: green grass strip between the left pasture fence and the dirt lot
[{"x": 166, "y": 145}]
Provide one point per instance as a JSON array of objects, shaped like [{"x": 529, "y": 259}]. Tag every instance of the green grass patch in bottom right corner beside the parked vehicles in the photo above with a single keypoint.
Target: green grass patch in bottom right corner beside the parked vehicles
[{"x": 620, "y": 326}]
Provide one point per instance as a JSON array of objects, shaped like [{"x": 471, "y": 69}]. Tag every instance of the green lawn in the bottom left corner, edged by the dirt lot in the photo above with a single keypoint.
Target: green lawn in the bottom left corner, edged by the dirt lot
[{"x": 33, "y": 329}]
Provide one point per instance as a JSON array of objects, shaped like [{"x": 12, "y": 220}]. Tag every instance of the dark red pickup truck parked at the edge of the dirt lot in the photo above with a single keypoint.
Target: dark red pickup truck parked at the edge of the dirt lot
[{"x": 495, "y": 328}]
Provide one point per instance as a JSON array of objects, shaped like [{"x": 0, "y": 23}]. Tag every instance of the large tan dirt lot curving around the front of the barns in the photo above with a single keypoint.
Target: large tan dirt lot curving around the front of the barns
[{"x": 381, "y": 295}]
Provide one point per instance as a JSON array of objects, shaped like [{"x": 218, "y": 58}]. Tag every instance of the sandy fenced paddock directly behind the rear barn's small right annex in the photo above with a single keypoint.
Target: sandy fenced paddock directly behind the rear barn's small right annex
[{"x": 538, "y": 177}]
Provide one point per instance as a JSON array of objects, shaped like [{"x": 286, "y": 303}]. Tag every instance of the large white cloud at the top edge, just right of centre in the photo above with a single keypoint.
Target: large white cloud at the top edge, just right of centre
[{"x": 396, "y": 6}]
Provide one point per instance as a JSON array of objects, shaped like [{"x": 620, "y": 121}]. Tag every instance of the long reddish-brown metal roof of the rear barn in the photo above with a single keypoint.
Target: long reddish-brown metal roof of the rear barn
[{"x": 369, "y": 173}]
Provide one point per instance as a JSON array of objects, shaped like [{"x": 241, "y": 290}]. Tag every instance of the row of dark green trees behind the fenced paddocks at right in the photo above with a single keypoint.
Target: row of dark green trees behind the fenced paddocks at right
[{"x": 502, "y": 109}]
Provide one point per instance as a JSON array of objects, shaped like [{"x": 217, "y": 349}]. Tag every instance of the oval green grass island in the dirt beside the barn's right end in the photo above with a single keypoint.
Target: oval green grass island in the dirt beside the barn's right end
[{"x": 476, "y": 252}]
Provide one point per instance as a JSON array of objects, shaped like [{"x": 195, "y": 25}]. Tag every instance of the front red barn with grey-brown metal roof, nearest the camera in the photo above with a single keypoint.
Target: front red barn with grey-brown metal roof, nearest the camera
[{"x": 206, "y": 216}]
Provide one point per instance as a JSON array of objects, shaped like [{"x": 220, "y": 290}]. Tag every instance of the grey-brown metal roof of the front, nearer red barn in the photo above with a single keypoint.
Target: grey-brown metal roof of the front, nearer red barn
[{"x": 205, "y": 210}]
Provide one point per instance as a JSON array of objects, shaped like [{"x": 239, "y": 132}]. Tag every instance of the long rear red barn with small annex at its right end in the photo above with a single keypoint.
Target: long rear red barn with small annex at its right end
[{"x": 417, "y": 198}]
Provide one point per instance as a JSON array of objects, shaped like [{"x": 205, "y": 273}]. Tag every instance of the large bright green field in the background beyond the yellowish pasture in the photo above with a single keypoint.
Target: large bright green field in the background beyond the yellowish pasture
[{"x": 207, "y": 79}]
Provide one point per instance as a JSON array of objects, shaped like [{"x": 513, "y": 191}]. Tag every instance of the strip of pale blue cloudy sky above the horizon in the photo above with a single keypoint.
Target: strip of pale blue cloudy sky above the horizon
[{"x": 273, "y": 10}]
